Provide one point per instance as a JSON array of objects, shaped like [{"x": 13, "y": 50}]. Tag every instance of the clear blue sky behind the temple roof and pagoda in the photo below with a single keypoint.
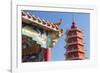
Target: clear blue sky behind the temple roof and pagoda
[{"x": 82, "y": 20}]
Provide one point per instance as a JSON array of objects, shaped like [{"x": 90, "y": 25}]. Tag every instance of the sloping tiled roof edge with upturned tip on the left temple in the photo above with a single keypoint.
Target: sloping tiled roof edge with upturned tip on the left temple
[{"x": 36, "y": 21}]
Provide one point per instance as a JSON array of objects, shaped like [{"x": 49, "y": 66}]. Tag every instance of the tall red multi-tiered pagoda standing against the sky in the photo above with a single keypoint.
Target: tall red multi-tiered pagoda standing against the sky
[{"x": 74, "y": 44}]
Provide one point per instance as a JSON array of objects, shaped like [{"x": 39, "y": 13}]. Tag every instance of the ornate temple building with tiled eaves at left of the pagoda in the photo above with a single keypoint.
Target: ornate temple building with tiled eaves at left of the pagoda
[{"x": 38, "y": 38}]
